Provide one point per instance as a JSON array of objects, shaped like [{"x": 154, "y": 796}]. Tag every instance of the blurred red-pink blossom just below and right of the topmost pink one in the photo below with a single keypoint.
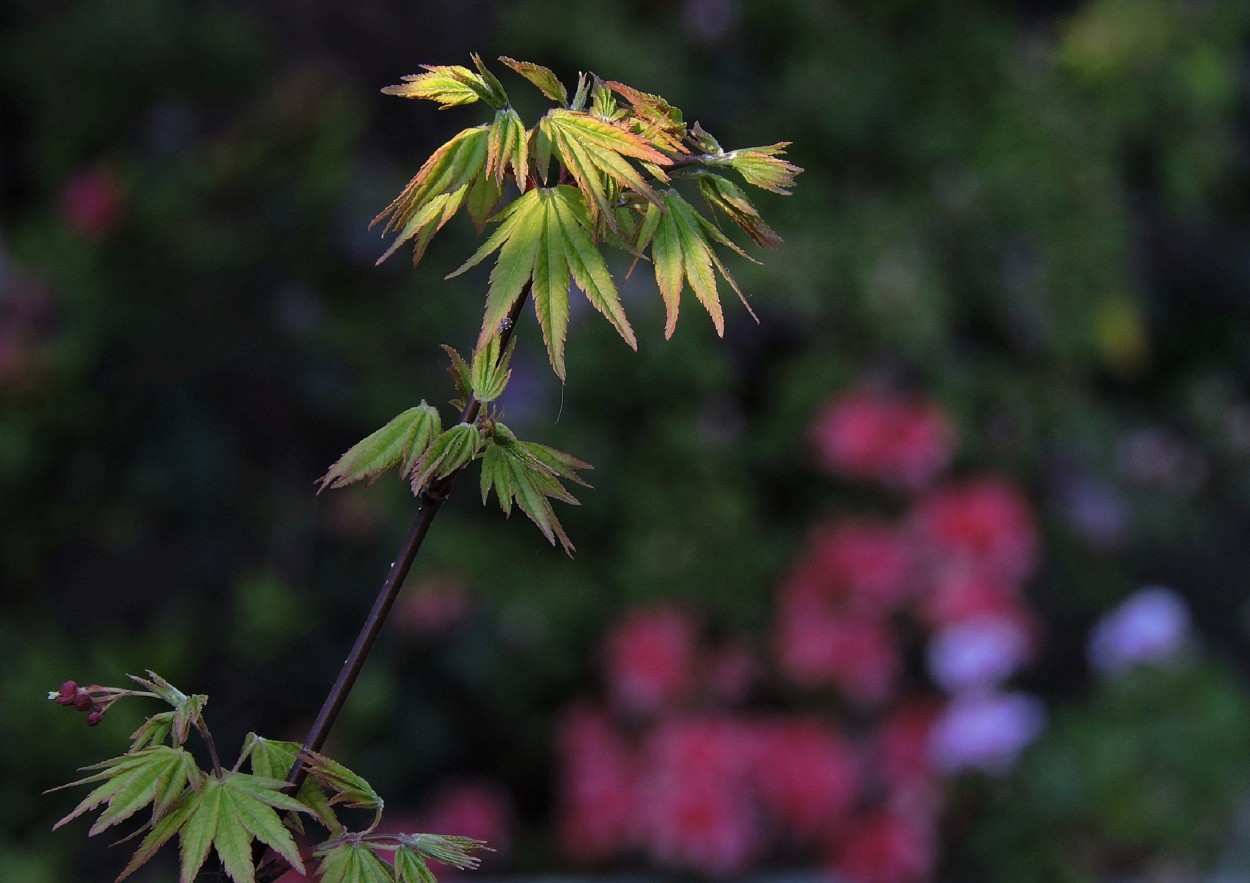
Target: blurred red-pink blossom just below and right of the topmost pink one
[{"x": 979, "y": 526}]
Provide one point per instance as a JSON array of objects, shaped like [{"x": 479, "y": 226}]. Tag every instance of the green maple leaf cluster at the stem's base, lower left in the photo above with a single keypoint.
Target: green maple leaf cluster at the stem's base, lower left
[{"x": 229, "y": 811}]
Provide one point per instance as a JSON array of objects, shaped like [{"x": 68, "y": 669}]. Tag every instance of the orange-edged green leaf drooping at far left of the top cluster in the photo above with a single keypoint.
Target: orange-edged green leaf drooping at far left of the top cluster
[{"x": 454, "y": 174}]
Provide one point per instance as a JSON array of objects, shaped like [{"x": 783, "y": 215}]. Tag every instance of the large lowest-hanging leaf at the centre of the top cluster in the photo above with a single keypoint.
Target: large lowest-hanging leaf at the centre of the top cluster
[{"x": 546, "y": 240}]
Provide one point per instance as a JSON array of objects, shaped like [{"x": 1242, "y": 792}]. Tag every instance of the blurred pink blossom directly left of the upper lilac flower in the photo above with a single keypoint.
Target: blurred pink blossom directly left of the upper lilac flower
[{"x": 818, "y": 645}]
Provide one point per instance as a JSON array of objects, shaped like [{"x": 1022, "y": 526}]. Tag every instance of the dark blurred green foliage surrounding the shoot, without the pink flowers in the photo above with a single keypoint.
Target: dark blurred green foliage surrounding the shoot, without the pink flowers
[{"x": 1036, "y": 212}]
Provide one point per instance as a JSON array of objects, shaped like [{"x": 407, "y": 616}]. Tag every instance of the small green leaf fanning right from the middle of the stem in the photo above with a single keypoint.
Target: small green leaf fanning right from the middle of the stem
[{"x": 531, "y": 475}]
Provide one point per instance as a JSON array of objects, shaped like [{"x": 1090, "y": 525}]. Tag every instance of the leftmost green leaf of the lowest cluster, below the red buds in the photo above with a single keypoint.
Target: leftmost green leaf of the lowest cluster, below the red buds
[{"x": 154, "y": 776}]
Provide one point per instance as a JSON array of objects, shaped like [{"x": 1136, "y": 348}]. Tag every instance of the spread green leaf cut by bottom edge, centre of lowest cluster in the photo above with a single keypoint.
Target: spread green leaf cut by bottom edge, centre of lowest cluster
[{"x": 228, "y": 815}]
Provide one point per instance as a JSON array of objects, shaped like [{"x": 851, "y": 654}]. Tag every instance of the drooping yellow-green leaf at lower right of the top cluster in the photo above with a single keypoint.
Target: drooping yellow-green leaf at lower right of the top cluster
[{"x": 682, "y": 253}]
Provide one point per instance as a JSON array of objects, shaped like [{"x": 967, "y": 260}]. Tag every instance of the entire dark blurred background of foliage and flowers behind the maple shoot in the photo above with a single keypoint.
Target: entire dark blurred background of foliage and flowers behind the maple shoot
[{"x": 849, "y": 595}]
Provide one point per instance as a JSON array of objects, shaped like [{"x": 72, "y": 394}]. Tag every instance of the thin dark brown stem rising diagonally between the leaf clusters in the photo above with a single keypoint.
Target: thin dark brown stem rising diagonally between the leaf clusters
[{"x": 431, "y": 502}]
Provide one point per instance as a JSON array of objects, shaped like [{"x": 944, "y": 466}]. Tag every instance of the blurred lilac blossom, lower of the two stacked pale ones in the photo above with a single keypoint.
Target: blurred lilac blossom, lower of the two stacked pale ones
[{"x": 986, "y": 732}]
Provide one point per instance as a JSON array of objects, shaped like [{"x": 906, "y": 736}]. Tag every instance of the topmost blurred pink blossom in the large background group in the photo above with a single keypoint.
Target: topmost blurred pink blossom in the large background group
[{"x": 899, "y": 441}]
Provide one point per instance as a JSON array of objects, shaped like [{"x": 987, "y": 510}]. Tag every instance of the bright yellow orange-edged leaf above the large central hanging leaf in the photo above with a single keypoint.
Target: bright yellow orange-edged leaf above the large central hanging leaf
[{"x": 593, "y": 149}]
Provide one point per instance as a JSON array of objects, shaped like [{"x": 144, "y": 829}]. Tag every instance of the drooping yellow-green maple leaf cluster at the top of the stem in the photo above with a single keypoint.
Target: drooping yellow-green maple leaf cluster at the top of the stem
[{"x": 598, "y": 169}]
